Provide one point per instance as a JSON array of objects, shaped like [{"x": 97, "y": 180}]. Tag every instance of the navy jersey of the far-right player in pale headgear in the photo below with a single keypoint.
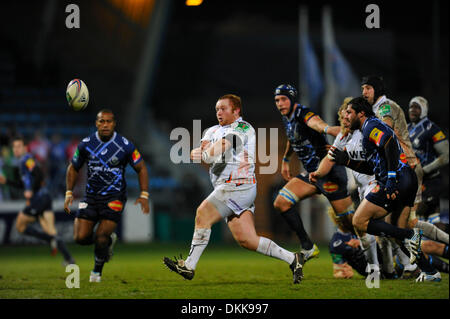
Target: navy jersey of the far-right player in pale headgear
[{"x": 423, "y": 136}]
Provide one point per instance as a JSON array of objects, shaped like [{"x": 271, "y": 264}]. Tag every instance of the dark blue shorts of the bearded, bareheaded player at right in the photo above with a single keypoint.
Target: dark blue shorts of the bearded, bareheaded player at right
[{"x": 407, "y": 189}]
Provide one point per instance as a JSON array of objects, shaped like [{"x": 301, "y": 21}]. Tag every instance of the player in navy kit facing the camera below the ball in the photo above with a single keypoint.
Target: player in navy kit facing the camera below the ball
[{"x": 106, "y": 154}]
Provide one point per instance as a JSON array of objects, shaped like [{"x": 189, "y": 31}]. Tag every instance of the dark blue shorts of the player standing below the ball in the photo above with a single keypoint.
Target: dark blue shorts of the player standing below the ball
[{"x": 95, "y": 209}]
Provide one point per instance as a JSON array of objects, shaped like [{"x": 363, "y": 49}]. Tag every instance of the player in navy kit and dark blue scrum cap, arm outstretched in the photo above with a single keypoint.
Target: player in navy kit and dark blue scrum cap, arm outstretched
[{"x": 304, "y": 130}]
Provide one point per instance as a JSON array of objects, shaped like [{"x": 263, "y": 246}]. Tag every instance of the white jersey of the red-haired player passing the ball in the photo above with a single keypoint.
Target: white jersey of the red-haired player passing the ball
[{"x": 237, "y": 165}]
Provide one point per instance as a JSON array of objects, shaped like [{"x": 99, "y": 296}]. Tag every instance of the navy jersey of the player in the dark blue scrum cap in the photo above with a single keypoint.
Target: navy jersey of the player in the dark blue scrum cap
[{"x": 309, "y": 145}]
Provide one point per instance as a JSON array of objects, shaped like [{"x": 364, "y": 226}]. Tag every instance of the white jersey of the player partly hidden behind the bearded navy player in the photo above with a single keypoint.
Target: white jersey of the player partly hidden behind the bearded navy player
[{"x": 352, "y": 142}]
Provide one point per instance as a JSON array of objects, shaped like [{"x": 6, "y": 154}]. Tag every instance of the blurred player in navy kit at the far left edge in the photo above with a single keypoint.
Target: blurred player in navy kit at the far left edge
[{"x": 38, "y": 201}]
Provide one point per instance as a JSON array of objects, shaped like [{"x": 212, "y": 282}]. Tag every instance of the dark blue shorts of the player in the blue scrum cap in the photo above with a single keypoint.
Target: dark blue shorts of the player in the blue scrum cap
[{"x": 333, "y": 186}]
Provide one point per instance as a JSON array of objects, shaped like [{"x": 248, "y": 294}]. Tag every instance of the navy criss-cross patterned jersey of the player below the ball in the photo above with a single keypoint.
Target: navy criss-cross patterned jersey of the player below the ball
[{"x": 106, "y": 163}]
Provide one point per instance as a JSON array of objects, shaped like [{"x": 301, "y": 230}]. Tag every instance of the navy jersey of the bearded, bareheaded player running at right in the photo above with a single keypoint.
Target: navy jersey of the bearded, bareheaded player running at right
[{"x": 375, "y": 135}]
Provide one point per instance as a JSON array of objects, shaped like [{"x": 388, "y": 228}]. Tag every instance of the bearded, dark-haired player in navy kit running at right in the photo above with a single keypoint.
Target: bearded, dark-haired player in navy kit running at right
[{"x": 396, "y": 183}]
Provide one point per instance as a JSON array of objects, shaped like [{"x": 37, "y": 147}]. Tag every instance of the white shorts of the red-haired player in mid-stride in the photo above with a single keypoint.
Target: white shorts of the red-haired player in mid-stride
[{"x": 230, "y": 199}]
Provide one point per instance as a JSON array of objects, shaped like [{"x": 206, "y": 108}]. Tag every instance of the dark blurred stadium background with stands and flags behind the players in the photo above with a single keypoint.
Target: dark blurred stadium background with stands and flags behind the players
[{"x": 160, "y": 64}]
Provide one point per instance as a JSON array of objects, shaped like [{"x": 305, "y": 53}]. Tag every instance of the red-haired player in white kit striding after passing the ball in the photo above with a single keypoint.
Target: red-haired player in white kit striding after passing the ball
[{"x": 229, "y": 148}]
